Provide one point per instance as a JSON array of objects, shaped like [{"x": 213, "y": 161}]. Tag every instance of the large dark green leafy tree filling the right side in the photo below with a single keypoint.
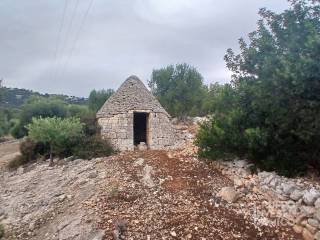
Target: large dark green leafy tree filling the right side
[{"x": 272, "y": 114}]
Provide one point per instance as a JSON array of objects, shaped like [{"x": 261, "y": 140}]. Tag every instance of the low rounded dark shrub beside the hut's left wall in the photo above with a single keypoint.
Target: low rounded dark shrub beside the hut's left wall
[{"x": 92, "y": 147}]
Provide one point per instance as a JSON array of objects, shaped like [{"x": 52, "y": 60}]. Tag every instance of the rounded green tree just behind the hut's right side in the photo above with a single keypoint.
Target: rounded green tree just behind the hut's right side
[{"x": 179, "y": 88}]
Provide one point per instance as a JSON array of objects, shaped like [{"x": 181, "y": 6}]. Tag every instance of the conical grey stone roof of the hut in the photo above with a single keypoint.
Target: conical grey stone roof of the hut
[{"x": 131, "y": 95}]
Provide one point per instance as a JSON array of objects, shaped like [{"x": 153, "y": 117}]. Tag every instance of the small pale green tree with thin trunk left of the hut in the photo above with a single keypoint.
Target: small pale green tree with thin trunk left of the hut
[{"x": 59, "y": 133}]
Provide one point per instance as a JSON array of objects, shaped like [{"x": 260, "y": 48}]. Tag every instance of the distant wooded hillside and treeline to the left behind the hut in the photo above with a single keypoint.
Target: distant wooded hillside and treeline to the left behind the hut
[{"x": 19, "y": 106}]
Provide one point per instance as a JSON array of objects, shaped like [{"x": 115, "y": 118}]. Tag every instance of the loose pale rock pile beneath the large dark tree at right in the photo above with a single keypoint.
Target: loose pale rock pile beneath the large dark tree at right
[{"x": 297, "y": 201}]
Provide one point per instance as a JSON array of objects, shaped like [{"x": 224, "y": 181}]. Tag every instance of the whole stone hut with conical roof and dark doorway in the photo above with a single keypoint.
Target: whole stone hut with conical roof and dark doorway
[{"x": 132, "y": 115}]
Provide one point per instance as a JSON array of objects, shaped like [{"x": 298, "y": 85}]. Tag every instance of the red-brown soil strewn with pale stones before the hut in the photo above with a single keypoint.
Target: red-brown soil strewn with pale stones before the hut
[{"x": 180, "y": 204}]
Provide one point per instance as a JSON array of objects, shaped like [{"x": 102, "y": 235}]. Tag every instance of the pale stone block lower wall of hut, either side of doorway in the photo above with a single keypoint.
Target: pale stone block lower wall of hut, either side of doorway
[{"x": 118, "y": 129}]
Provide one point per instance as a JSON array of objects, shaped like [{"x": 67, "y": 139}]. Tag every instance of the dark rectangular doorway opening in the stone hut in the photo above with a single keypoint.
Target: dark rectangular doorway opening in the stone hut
[{"x": 140, "y": 121}]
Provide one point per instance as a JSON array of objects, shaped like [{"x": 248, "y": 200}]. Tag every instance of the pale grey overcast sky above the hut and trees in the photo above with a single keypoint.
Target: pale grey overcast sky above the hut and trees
[{"x": 116, "y": 39}]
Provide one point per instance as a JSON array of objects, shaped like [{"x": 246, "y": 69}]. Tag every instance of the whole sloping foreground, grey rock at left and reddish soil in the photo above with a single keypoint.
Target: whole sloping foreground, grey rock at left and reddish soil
[{"x": 149, "y": 195}]
